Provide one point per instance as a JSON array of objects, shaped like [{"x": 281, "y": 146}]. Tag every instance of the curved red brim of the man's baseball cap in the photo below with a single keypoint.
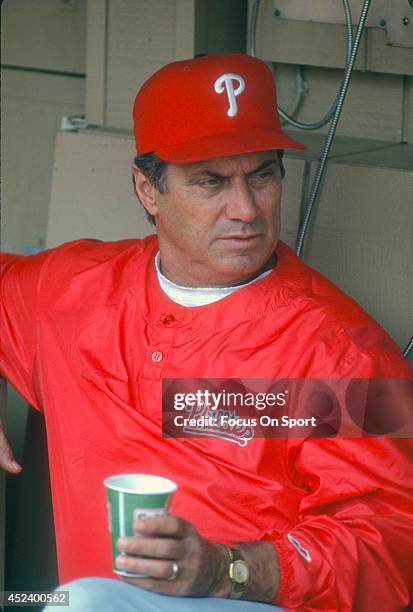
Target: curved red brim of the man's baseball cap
[{"x": 223, "y": 145}]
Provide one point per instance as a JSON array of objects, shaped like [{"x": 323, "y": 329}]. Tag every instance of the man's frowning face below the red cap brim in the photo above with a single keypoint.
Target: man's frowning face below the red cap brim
[{"x": 219, "y": 220}]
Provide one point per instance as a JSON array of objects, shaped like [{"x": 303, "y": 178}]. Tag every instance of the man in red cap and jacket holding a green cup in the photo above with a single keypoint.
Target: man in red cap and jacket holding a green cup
[{"x": 91, "y": 329}]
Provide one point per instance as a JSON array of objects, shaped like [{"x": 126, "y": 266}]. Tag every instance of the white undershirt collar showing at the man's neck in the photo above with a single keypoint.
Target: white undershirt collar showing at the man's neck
[{"x": 197, "y": 296}]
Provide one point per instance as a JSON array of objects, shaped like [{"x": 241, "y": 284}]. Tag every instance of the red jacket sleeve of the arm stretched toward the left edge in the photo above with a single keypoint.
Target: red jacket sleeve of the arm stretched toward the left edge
[{"x": 20, "y": 277}]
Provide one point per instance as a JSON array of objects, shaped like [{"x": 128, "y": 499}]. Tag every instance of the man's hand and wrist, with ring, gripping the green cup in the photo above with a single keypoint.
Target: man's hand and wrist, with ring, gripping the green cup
[{"x": 161, "y": 541}]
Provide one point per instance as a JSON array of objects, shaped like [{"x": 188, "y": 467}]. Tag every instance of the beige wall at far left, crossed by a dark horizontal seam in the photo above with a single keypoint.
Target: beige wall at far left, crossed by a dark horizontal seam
[{"x": 43, "y": 59}]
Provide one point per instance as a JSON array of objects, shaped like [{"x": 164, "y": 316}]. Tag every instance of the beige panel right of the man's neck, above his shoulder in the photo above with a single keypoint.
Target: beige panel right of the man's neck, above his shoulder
[{"x": 361, "y": 239}]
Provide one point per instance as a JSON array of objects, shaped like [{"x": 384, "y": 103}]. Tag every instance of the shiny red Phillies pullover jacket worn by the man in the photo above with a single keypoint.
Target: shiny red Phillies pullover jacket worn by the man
[{"x": 87, "y": 337}]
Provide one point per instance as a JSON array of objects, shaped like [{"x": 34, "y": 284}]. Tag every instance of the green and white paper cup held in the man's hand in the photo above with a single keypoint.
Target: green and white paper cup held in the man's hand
[{"x": 131, "y": 497}]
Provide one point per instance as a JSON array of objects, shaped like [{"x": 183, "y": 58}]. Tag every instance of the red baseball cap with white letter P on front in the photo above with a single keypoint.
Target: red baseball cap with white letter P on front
[{"x": 211, "y": 106}]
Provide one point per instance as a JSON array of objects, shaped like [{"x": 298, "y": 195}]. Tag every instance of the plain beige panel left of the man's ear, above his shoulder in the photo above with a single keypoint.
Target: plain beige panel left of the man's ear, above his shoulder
[{"x": 92, "y": 194}]
